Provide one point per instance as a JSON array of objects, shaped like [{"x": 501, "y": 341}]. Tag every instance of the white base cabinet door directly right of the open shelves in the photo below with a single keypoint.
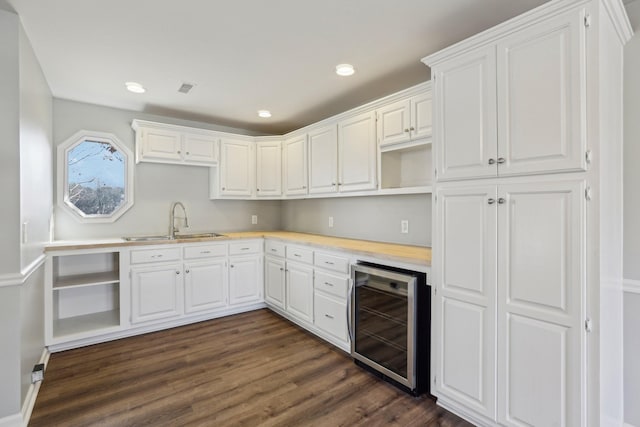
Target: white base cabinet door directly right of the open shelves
[{"x": 156, "y": 292}]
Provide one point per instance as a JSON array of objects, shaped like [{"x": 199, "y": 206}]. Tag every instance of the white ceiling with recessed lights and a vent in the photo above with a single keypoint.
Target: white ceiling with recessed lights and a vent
[{"x": 246, "y": 55}]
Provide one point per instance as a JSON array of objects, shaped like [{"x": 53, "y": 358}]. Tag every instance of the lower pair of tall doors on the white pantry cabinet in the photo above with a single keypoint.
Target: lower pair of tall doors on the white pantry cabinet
[{"x": 508, "y": 307}]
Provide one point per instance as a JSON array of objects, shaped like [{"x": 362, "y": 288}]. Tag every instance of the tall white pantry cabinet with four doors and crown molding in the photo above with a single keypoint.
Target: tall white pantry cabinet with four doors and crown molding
[{"x": 527, "y": 250}]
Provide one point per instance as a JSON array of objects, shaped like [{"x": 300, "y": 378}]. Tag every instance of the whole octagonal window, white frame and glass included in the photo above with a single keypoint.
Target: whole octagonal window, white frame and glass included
[{"x": 95, "y": 173}]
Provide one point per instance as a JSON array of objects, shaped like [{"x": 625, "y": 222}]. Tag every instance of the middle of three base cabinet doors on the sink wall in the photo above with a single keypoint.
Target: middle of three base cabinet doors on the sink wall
[{"x": 205, "y": 285}]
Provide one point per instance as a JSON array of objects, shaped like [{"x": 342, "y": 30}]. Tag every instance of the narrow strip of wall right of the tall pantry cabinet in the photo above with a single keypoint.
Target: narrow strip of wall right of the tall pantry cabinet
[{"x": 632, "y": 220}]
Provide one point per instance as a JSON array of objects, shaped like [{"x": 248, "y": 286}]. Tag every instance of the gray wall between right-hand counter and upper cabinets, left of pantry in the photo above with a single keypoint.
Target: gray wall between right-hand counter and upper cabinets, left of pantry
[{"x": 368, "y": 218}]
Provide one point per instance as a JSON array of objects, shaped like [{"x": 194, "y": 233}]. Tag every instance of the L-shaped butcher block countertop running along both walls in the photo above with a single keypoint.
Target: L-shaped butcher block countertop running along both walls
[{"x": 413, "y": 254}]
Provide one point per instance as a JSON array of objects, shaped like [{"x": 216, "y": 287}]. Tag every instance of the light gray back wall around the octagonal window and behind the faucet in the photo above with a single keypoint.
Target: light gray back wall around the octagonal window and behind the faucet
[{"x": 156, "y": 185}]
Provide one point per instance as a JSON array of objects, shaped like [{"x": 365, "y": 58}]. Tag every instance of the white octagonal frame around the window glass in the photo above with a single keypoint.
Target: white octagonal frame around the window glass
[{"x": 63, "y": 176}]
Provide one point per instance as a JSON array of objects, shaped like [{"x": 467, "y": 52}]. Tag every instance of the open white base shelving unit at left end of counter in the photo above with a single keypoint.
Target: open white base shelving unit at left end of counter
[{"x": 84, "y": 294}]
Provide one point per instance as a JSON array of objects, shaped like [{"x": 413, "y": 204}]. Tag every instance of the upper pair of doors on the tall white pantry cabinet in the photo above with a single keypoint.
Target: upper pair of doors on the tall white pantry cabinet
[{"x": 514, "y": 107}]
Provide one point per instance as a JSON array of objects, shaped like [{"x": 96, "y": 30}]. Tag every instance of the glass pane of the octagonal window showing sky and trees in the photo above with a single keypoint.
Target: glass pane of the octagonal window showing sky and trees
[{"x": 96, "y": 177}]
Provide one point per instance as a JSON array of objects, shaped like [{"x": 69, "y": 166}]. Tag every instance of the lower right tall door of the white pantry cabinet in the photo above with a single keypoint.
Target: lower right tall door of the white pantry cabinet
[{"x": 540, "y": 295}]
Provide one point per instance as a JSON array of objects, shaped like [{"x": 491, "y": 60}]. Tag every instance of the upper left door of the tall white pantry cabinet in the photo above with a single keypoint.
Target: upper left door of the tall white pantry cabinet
[{"x": 465, "y": 135}]
